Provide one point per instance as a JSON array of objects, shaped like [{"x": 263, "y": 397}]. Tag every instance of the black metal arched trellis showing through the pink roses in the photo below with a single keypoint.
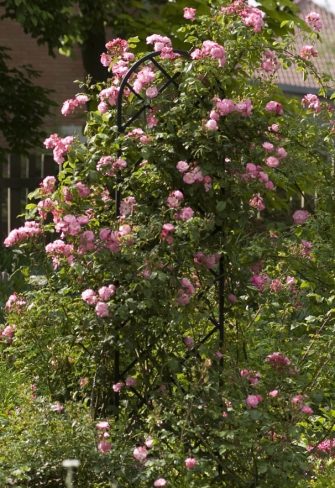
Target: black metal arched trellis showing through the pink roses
[{"x": 219, "y": 277}]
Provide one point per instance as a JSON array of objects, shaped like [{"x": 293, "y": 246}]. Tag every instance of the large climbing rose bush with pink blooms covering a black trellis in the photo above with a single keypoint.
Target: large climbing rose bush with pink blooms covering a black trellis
[{"x": 184, "y": 288}]
